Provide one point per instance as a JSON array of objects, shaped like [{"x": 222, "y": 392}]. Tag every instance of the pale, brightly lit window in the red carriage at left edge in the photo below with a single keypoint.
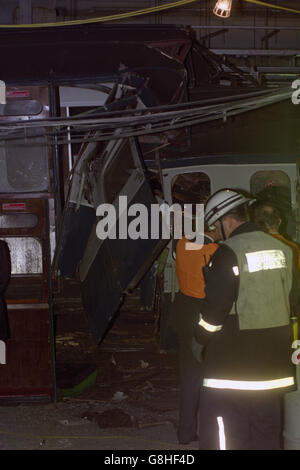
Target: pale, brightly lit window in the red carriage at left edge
[{"x": 26, "y": 255}]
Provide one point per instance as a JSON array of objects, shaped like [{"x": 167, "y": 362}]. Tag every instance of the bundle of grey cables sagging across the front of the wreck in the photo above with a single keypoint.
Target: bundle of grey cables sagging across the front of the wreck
[{"x": 137, "y": 124}]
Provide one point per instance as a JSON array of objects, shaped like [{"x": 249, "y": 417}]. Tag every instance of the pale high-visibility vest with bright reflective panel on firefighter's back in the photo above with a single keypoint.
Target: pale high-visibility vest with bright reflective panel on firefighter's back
[{"x": 265, "y": 280}]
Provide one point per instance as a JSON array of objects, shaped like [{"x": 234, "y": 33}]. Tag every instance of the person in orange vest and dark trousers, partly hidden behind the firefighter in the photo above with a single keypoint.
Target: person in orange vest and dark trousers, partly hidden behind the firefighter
[{"x": 190, "y": 260}]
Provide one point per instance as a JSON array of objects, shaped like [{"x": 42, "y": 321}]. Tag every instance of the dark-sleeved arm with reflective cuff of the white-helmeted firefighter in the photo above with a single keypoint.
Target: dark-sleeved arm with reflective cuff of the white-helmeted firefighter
[{"x": 221, "y": 287}]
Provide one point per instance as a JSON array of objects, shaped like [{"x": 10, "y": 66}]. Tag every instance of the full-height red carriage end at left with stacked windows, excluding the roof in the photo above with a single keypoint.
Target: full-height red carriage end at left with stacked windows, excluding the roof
[{"x": 27, "y": 373}]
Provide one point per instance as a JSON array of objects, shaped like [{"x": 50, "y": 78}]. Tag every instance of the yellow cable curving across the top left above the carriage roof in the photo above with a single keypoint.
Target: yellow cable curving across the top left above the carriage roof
[{"x": 120, "y": 16}]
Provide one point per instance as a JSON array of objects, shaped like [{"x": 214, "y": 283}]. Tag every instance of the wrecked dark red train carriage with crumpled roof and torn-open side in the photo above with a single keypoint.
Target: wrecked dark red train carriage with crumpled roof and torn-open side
[{"x": 46, "y": 146}]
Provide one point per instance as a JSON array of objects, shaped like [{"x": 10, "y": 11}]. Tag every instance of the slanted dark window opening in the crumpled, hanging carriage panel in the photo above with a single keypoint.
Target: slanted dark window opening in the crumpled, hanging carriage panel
[{"x": 118, "y": 172}]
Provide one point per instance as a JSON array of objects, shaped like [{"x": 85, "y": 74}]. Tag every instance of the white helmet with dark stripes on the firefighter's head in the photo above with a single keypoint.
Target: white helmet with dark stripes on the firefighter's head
[{"x": 221, "y": 203}]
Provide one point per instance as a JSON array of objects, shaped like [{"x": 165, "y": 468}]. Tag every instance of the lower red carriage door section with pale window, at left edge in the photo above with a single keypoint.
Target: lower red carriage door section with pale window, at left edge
[{"x": 28, "y": 368}]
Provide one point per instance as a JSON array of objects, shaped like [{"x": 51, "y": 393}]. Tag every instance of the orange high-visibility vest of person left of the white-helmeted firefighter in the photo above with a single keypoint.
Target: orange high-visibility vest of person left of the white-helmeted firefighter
[{"x": 189, "y": 267}]
